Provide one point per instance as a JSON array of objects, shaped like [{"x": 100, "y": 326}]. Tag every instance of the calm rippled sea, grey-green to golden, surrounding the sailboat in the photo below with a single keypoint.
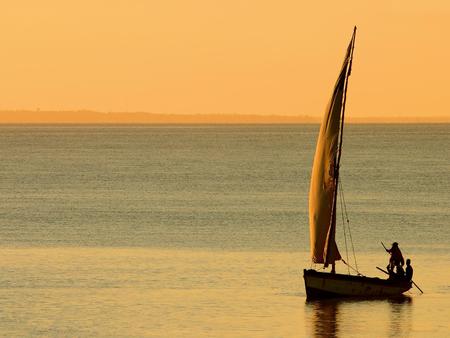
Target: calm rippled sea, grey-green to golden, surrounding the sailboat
[{"x": 202, "y": 231}]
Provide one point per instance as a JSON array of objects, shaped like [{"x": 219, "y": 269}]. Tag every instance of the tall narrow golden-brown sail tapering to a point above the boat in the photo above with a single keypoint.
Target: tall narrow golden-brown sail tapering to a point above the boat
[{"x": 325, "y": 171}]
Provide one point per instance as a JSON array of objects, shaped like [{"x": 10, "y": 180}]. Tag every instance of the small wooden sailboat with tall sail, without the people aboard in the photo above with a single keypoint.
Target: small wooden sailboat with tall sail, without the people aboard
[{"x": 323, "y": 197}]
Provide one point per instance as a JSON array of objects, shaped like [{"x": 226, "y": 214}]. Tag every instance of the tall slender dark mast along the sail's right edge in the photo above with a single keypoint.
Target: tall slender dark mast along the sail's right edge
[{"x": 339, "y": 152}]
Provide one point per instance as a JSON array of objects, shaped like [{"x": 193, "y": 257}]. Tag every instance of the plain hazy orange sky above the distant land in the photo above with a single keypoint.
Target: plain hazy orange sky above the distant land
[{"x": 224, "y": 57}]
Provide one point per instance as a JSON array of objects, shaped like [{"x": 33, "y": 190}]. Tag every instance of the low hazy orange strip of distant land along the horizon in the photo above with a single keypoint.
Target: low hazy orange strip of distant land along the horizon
[{"x": 12, "y": 117}]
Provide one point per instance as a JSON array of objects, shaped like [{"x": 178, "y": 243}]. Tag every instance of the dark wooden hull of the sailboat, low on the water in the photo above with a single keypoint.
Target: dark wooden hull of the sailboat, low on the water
[{"x": 320, "y": 285}]
